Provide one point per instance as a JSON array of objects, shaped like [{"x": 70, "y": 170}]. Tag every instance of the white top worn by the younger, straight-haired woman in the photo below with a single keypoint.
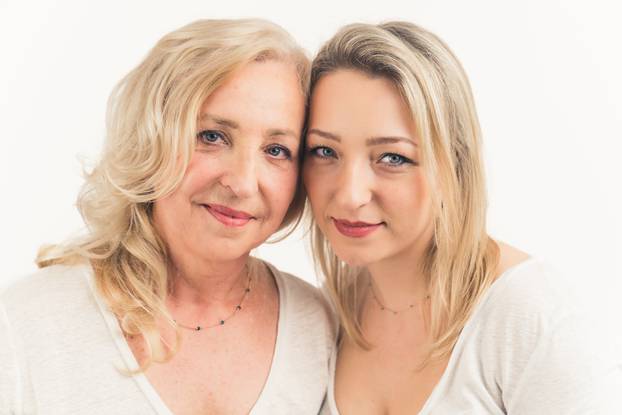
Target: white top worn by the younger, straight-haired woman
[{"x": 527, "y": 349}]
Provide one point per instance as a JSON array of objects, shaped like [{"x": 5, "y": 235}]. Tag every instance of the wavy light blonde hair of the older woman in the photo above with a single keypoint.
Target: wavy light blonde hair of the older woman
[{"x": 150, "y": 138}]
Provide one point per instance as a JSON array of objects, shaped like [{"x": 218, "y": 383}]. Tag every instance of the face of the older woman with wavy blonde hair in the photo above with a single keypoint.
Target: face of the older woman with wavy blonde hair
[{"x": 242, "y": 176}]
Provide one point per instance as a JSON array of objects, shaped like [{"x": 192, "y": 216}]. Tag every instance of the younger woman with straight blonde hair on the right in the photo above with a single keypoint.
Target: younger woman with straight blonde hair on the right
[{"x": 437, "y": 317}]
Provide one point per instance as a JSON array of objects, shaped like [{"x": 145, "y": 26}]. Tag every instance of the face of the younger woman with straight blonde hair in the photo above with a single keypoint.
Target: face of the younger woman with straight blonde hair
[{"x": 368, "y": 194}]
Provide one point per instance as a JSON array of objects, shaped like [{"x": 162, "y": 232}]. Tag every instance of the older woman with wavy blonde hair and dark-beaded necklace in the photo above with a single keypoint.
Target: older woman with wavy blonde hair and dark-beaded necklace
[{"x": 160, "y": 308}]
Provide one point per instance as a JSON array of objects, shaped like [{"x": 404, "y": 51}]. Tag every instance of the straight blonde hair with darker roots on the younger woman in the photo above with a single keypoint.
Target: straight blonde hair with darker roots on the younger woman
[{"x": 460, "y": 261}]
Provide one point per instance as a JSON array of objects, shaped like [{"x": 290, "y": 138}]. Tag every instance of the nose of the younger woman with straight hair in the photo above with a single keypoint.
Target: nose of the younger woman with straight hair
[{"x": 354, "y": 187}]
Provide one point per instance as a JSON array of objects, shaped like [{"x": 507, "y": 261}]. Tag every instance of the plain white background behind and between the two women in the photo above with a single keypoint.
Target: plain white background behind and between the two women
[{"x": 546, "y": 77}]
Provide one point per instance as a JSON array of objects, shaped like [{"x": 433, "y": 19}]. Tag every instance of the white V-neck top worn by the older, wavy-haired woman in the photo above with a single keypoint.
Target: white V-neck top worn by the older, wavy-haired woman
[{"x": 61, "y": 349}]
